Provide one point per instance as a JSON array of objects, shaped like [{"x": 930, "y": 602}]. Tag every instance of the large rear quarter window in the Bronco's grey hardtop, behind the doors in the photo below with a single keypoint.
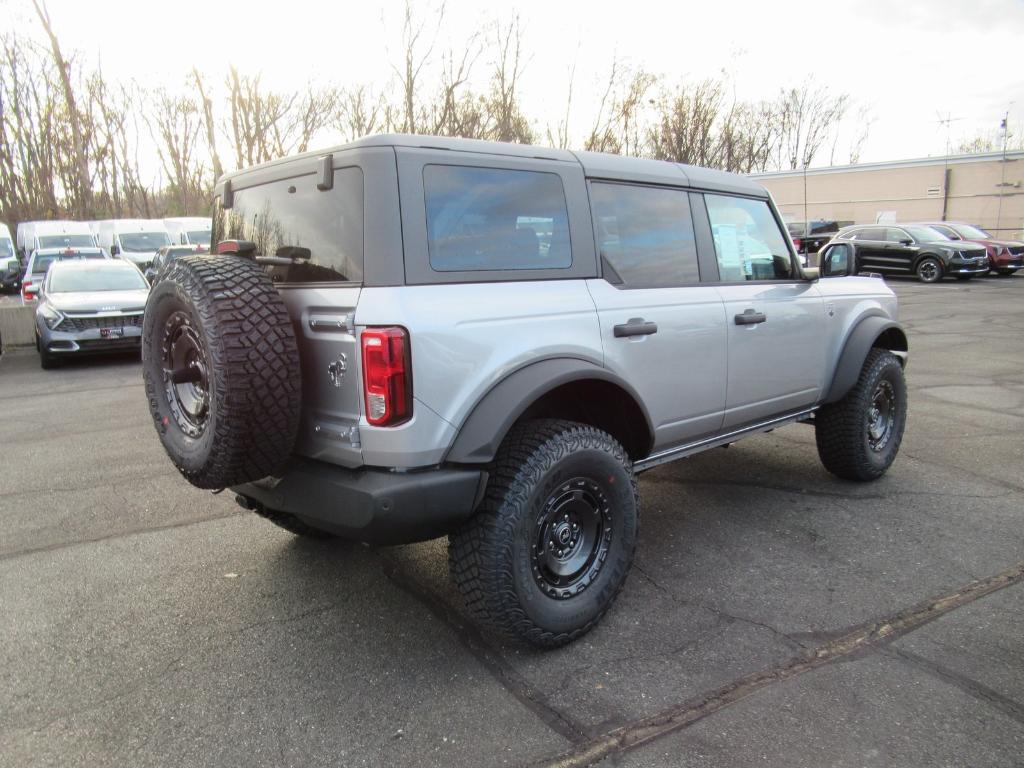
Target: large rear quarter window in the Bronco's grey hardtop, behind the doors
[{"x": 483, "y": 220}]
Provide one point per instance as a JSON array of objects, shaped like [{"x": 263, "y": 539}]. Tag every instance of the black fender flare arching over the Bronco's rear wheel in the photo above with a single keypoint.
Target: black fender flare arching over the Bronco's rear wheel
[{"x": 496, "y": 412}]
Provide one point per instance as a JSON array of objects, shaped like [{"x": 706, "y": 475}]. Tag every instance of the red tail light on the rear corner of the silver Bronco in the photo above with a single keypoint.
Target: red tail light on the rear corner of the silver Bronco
[{"x": 388, "y": 382}]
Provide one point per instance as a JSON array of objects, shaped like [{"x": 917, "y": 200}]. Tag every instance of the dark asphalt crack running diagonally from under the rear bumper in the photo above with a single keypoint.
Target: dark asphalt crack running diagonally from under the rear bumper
[{"x": 473, "y": 639}]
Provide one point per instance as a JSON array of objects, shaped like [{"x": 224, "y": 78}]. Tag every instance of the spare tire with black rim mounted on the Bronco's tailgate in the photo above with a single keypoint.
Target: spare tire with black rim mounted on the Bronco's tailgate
[{"x": 244, "y": 345}]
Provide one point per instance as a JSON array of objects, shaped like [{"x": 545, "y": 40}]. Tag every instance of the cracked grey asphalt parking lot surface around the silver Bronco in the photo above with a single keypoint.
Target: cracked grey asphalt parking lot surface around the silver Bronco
[{"x": 776, "y": 616}]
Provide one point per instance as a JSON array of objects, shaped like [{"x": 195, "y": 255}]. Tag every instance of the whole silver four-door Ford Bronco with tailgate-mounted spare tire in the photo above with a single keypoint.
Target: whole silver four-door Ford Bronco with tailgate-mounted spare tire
[{"x": 409, "y": 337}]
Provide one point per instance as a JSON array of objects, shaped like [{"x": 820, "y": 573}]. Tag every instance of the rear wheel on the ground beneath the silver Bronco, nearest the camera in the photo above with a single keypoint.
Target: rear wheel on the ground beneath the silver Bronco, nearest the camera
[{"x": 493, "y": 559}]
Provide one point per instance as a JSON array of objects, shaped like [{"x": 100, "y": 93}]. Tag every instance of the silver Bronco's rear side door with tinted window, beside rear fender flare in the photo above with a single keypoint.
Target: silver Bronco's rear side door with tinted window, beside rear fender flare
[{"x": 662, "y": 330}]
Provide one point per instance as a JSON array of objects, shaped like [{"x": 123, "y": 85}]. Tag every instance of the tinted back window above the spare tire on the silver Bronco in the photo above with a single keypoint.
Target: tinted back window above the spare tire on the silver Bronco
[{"x": 303, "y": 235}]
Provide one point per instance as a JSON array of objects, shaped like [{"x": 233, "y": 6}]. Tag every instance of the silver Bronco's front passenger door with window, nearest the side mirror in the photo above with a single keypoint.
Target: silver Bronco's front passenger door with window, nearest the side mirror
[{"x": 773, "y": 316}]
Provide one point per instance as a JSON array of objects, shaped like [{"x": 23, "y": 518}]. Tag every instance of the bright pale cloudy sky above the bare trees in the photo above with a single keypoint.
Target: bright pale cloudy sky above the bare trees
[{"x": 909, "y": 64}]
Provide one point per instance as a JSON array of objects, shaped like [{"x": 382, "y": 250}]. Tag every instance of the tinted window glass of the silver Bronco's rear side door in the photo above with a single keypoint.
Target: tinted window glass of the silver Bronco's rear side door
[{"x": 645, "y": 235}]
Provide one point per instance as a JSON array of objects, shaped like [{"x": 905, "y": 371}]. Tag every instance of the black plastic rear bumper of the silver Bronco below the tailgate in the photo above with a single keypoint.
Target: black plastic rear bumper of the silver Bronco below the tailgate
[{"x": 371, "y": 505}]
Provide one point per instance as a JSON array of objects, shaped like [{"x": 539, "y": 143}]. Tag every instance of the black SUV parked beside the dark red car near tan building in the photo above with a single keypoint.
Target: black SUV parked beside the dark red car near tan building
[{"x": 913, "y": 249}]
